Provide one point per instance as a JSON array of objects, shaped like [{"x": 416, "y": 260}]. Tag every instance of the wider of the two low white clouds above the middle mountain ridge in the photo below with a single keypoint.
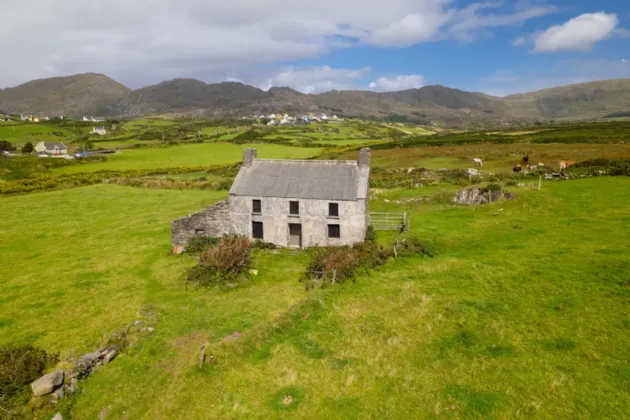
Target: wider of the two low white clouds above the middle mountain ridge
[{"x": 311, "y": 79}]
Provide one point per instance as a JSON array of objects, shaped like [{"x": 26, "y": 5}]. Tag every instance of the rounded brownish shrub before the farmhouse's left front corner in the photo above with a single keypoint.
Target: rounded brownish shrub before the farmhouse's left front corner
[{"x": 223, "y": 262}]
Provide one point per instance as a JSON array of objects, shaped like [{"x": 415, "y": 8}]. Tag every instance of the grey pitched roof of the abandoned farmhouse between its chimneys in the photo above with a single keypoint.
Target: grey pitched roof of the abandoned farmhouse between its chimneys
[{"x": 306, "y": 179}]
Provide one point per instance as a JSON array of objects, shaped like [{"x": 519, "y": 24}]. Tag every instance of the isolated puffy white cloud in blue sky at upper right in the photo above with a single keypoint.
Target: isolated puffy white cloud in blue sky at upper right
[{"x": 577, "y": 34}]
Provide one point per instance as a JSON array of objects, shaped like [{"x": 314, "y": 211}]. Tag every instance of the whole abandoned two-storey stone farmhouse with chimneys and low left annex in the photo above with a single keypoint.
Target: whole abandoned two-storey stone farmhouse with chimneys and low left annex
[{"x": 290, "y": 203}]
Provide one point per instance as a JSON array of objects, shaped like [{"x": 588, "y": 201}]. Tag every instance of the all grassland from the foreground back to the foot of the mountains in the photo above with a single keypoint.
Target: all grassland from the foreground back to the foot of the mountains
[{"x": 523, "y": 312}]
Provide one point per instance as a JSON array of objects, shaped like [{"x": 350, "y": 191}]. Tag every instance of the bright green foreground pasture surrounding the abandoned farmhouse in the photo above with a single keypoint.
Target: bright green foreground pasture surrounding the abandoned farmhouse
[{"x": 523, "y": 313}]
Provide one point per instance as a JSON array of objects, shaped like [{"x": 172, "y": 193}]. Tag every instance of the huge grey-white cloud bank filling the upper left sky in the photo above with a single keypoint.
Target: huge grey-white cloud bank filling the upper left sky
[{"x": 142, "y": 42}]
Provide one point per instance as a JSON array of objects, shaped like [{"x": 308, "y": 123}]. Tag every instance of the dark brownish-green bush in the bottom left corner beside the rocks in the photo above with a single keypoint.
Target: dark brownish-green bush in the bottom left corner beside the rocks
[{"x": 19, "y": 366}]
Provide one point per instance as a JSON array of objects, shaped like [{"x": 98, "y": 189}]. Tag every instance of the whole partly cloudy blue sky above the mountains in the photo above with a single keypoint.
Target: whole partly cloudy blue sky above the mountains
[{"x": 498, "y": 47}]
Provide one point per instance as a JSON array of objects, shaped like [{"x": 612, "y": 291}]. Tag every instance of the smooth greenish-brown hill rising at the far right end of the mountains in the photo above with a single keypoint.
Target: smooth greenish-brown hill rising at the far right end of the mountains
[{"x": 584, "y": 100}]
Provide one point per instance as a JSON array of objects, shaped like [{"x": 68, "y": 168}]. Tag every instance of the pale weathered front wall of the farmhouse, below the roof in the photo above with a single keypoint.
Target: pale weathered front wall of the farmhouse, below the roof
[{"x": 313, "y": 217}]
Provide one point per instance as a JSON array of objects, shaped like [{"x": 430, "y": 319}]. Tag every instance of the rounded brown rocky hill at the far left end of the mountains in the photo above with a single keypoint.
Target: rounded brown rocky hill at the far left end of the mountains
[{"x": 71, "y": 95}]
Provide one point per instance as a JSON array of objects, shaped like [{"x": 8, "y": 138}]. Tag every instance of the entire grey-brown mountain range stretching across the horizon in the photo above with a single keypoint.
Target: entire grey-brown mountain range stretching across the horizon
[{"x": 97, "y": 94}]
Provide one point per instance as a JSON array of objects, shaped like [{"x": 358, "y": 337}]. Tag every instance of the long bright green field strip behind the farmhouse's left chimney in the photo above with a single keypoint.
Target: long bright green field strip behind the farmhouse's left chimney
[{"x": 189, "y": 155}]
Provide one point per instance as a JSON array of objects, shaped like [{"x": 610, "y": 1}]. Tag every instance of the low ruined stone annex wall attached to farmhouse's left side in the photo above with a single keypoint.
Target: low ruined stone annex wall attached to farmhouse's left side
[{"x": 213, "y": 221}]
